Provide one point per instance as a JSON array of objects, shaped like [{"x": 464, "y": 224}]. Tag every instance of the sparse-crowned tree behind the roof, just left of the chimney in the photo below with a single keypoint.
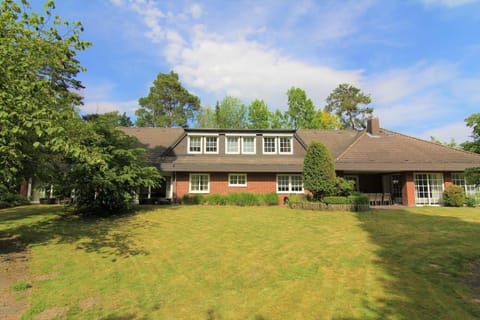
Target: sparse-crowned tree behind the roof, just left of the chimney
[{"x": 345, "y": 102}]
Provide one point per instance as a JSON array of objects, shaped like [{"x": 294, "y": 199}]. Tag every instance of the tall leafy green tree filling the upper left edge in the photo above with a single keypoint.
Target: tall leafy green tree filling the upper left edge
[{"x": 38, "y": 88}]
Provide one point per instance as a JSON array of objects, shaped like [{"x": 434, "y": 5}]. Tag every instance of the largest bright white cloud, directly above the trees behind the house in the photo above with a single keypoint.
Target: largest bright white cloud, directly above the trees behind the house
[{"x": 250, "y": 70}]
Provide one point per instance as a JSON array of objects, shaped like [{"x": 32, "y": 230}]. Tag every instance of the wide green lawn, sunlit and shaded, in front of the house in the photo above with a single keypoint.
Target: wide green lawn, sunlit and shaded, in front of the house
[{"x": 204, "y": 262}]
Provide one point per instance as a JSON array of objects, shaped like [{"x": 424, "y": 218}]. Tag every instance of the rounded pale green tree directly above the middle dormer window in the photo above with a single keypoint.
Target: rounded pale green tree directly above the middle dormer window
[{"x": 231, "y": 113}]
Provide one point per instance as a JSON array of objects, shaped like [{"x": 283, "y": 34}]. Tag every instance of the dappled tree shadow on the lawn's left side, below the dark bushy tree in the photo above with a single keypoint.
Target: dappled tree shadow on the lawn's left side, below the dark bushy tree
[{"x": 111, "y": 236}]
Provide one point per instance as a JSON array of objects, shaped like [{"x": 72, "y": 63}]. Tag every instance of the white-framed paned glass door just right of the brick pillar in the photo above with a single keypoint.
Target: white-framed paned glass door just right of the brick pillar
[{"x": 428, "y": 188}]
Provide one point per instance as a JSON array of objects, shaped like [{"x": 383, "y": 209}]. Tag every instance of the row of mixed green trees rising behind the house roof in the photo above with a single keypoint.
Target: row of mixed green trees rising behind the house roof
[{"x": 169, "y": 104}]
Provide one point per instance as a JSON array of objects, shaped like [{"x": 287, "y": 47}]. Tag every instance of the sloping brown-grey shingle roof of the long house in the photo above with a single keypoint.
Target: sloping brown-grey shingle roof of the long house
[{"x": 352, "y": 150}]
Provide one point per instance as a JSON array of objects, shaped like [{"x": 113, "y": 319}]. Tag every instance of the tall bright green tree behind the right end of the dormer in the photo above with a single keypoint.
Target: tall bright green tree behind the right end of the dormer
[{"x": 301, "y": 111}]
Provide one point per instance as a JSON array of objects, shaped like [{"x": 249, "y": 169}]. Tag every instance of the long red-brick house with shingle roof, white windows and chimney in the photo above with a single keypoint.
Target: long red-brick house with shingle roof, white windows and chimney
[{"x": 207, "y": 161}]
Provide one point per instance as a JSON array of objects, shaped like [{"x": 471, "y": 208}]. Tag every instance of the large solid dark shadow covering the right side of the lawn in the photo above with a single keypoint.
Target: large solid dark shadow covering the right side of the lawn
[{"x": 427, "y": 262}]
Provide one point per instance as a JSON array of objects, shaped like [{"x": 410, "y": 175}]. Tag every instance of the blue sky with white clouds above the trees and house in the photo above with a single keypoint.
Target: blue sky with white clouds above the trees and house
[{"x": 418, "y": 59}]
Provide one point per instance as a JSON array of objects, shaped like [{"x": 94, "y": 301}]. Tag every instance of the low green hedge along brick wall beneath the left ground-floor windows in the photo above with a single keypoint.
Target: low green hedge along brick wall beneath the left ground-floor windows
[{"x": 237, "y": 199}]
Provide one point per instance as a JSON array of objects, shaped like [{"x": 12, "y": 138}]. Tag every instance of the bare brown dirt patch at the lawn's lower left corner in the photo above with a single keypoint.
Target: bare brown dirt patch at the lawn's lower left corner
[{"x": 14, "y": 258}]
